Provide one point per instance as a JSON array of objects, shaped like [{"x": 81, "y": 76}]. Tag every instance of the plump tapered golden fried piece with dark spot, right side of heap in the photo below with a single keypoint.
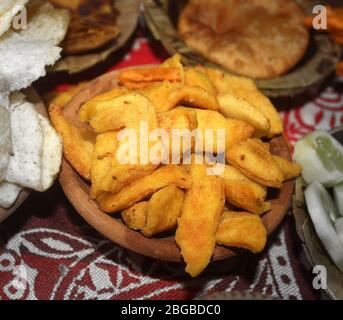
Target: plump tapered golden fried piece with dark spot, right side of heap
[{"x": 253, "y": 159}]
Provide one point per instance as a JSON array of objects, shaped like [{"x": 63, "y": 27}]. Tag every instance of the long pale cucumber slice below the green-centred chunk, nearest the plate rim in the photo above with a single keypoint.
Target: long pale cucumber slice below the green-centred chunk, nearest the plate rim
[{"x": 324, "y": 214}]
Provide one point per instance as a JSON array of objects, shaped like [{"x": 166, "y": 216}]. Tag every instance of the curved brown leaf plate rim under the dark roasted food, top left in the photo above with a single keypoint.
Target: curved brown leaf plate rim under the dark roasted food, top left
[{"x": 127, "y": 20}]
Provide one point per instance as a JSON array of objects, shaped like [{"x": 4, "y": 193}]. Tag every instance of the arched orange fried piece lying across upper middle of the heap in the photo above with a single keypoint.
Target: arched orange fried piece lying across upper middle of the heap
[{"x": 167, "y": 95}]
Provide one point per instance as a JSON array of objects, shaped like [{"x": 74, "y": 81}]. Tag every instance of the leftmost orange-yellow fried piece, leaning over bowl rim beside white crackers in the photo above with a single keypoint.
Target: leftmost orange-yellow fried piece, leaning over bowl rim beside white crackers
[{"x": 78, "y": 143}]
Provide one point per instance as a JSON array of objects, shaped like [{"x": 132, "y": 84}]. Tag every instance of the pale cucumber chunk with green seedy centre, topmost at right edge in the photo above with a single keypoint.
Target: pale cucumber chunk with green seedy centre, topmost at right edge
[{"x": 321, "y": 158}]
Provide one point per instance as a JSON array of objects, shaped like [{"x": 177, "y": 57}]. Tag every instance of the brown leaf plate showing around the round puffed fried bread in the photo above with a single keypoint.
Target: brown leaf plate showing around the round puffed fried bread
[{"x": 318, "y": 64}]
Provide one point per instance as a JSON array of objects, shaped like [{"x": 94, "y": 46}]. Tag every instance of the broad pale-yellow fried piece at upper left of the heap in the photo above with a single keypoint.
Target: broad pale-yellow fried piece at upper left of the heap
[{"x": 125, "y": 111}]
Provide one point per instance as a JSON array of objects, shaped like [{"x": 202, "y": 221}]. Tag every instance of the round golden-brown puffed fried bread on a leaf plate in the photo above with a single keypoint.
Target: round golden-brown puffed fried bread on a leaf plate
[{"x": 256, "y": 38}]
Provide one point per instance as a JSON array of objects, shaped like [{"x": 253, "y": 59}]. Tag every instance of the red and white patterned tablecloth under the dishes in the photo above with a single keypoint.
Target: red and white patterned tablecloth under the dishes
[{"x": 48, "y": 252}]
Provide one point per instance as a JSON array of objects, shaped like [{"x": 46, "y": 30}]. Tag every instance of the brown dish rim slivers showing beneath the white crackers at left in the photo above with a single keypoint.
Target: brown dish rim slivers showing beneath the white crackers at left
[{"x": 34, "y": 98}]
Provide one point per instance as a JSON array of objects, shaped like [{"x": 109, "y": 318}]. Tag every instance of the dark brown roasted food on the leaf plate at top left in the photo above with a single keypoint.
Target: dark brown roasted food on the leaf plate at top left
[{"x": 92, "y": 26}]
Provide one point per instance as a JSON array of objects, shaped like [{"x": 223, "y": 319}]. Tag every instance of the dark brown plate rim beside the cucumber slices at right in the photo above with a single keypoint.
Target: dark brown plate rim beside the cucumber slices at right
[{"x": 312, "y": 246}]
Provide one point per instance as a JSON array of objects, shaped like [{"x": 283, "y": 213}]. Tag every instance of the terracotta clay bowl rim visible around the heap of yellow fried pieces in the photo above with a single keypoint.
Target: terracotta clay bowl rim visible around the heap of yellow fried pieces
[{"x": 112, "y": 227}]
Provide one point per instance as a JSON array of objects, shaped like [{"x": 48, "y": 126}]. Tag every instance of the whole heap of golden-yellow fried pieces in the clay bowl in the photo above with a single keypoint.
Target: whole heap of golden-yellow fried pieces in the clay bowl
[{"x": 186, "y": 183}]
